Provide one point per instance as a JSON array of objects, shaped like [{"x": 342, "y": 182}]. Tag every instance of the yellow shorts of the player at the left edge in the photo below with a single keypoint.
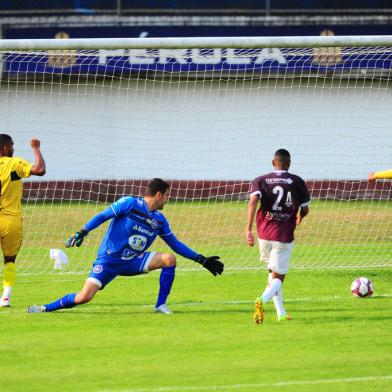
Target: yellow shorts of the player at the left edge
[{"x": 10, "y": 234}]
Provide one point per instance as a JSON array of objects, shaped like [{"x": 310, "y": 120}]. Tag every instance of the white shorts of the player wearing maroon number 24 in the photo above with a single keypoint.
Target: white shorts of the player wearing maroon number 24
[{"x": 276, "y": 254}]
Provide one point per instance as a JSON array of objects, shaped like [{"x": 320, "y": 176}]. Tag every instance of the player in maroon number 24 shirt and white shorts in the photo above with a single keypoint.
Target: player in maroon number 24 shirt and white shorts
[{"x": 284, "y": 201}]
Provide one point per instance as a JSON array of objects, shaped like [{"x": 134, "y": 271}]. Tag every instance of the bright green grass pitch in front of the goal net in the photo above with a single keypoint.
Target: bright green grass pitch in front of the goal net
[{"x": 116, "y": 343}]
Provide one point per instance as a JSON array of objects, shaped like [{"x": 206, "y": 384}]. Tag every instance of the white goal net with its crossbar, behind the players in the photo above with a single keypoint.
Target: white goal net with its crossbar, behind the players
[{"x": 208, "y": 120}]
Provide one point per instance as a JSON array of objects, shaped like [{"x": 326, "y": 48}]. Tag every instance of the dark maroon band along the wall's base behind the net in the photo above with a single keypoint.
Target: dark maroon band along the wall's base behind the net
[{"x": 109, "y": 191}]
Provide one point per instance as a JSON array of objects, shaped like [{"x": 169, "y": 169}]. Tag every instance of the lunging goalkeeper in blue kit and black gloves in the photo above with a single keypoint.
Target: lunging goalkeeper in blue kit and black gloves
[{"x": 135, "y": 223}]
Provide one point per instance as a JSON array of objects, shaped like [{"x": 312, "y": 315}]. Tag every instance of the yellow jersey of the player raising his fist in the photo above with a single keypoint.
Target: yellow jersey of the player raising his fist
[{"x": 12, "y": 170}]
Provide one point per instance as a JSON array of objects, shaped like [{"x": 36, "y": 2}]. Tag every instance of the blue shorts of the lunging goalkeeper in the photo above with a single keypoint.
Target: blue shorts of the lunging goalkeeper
[{"x": 105, "y": 270}]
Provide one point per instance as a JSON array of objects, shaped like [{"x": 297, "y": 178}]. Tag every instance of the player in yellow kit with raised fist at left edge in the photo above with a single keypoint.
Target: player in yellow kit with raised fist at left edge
[{"x": 12, "y": 170}]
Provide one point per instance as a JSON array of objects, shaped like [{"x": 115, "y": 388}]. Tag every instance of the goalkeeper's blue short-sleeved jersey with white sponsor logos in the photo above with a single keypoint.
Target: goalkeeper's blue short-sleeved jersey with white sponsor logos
[{"x": 132, "y": 230}]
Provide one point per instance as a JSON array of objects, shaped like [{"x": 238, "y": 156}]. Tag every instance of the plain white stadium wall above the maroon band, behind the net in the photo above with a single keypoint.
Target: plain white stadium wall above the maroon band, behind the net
[{"x": 195, "y": 130}]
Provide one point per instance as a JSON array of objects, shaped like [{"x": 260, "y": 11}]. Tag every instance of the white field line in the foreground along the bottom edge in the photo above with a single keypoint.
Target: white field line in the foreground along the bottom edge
[{"x": 278, "y": 384}]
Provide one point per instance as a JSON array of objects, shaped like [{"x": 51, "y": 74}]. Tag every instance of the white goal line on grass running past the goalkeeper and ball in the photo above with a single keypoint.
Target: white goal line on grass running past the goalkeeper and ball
[{"x": 214, "y": 303}]
